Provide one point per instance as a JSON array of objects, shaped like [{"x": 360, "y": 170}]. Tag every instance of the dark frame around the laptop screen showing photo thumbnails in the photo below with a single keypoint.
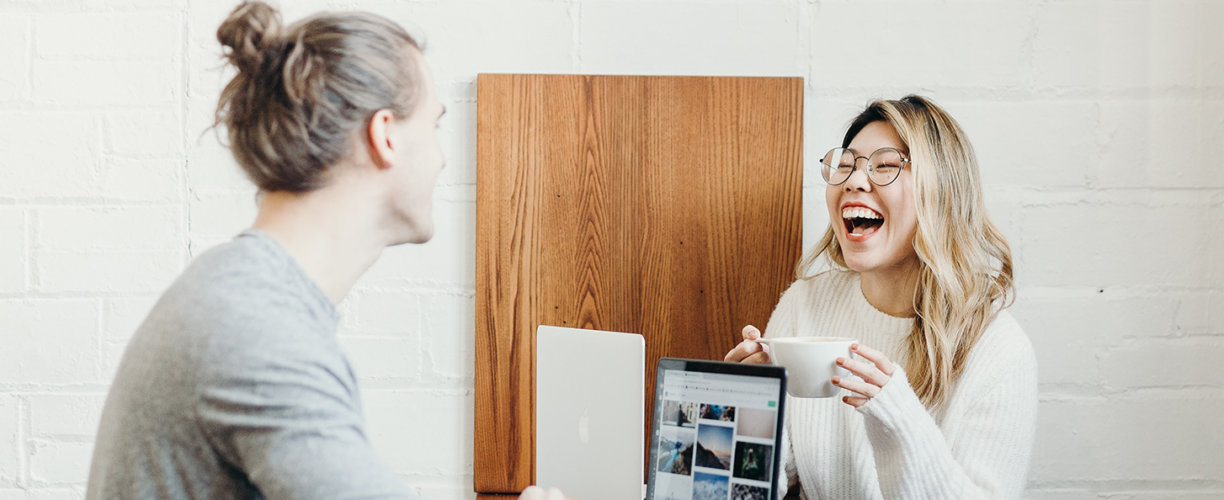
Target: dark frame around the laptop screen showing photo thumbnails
[{"x": 758, "y": 371}]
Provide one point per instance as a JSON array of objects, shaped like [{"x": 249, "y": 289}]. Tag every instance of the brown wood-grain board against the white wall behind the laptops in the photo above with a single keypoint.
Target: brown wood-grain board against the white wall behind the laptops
[{"x": 663, "y": 206}]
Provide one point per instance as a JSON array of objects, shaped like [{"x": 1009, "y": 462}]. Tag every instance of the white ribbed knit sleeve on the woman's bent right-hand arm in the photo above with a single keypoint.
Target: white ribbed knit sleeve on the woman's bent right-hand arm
[{"x": 983, "y": 449}]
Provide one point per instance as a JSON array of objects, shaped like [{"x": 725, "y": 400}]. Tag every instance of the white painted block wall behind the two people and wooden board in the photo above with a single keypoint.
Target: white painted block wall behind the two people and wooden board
[{"x": 1100, "y": 127}]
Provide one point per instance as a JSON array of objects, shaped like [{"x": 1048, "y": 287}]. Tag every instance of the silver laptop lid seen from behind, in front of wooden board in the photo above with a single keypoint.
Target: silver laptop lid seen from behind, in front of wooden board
[{"x": 591, "y": 412}]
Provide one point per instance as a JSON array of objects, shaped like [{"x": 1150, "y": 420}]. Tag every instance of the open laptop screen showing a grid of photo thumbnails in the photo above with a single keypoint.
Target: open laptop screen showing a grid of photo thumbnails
[{"x": 717, "y": 432}]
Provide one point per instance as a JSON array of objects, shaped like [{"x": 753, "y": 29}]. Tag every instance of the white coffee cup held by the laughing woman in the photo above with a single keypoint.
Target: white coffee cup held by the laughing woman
[{"x": 811, "y": 363}]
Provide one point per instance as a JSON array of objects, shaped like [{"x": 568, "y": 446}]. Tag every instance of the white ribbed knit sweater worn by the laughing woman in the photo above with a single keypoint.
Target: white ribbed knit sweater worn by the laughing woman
[{"x": 977, "y": 445}]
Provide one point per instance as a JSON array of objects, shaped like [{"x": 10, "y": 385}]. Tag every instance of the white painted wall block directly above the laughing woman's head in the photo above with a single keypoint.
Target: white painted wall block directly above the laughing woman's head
[{"x": 919, "y": 46}]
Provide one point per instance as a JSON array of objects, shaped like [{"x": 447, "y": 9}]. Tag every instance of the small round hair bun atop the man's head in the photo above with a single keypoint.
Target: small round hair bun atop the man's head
[{"x": 253, "y": 34}]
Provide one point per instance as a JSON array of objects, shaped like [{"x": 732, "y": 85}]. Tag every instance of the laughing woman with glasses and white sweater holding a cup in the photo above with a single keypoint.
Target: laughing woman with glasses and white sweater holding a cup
[{"x": 943, "y": 403}]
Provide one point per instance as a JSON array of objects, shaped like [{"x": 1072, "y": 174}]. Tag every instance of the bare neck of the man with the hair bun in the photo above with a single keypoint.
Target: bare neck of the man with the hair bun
[{"x": 331, "y": 232}]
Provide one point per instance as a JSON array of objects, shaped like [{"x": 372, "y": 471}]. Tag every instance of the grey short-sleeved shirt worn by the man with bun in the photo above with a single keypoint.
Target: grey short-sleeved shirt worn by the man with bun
[{"x": 236, "y": 388}]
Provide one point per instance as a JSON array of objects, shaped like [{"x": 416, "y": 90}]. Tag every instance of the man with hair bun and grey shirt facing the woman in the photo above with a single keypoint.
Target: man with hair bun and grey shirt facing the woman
[{"x": 236, "y": 387}]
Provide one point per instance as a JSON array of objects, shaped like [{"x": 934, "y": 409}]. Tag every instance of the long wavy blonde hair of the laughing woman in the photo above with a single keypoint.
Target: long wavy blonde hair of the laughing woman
[{"x": 965, "y": 275}]
